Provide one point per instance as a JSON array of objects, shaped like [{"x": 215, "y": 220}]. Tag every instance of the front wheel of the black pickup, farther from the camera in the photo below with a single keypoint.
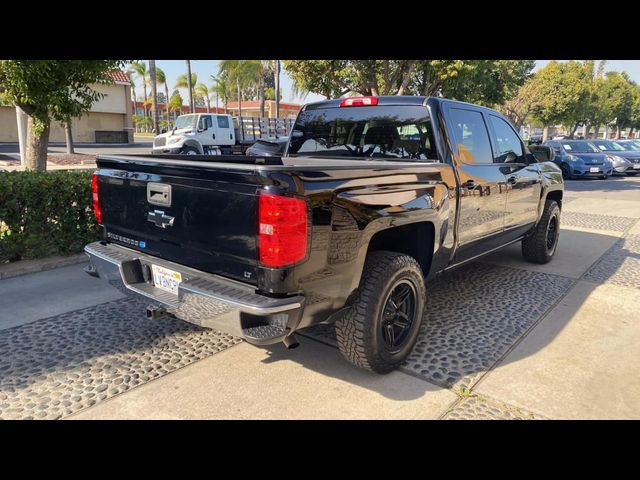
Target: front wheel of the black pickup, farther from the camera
[{"x": 540, "y": 245}]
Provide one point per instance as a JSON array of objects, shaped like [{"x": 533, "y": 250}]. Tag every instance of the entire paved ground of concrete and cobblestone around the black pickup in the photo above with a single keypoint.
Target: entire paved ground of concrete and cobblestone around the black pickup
[{"x": 502, "y": 339}]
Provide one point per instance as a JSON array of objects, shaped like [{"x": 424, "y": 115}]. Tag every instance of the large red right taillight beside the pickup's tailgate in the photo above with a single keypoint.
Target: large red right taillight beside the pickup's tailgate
[{"x": 282, "y": 230}]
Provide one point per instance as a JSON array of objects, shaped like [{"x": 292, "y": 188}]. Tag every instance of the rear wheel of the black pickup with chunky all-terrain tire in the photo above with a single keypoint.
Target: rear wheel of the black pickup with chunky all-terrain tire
[{"x": 379, "y": 328}]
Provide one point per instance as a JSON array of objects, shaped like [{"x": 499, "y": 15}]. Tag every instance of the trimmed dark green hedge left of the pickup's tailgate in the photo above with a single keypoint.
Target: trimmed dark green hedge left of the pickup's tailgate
[{"x": 45, "y": 213}]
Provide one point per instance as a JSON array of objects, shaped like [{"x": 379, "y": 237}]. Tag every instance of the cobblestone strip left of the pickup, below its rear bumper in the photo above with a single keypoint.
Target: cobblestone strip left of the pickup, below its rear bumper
[{"x": 54, "y": 367}]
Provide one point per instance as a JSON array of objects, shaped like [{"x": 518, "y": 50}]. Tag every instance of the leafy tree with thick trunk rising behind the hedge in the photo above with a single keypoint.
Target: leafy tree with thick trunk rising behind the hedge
[{"x": 46, "y": 89}]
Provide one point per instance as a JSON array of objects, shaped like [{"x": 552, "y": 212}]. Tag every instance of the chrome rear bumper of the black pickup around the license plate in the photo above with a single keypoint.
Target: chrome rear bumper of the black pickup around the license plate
[{"x": 203, "y": 299}]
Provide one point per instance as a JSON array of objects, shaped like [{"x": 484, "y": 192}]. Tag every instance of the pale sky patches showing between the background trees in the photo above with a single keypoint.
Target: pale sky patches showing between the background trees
[{"x": 205, "y": 68}]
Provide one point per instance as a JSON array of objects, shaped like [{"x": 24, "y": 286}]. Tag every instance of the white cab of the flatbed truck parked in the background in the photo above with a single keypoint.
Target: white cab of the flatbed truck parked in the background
[{"x": 197, "y": 134}]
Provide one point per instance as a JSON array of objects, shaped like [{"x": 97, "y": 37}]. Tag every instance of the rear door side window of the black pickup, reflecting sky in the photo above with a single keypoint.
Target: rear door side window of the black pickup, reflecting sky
[{"x": 471, "y": 136}]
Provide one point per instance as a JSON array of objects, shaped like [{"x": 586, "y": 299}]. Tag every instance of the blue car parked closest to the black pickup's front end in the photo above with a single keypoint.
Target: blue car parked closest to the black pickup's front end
[{"x": 580, "y": 159}]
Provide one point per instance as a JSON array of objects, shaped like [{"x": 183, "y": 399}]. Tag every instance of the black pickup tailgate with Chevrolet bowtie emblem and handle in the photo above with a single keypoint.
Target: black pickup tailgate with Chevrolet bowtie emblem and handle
[{"x": 204, "y": 218}]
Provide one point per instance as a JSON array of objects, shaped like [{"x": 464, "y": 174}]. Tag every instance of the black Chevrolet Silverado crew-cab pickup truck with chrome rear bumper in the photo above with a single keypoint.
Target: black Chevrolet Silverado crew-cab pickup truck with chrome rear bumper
[{"x": 372, "y": 197}]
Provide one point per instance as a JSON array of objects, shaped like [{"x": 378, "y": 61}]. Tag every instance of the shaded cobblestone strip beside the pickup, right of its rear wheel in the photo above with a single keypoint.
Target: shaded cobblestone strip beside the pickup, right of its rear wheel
[{"x": 473, "y": 316}]
